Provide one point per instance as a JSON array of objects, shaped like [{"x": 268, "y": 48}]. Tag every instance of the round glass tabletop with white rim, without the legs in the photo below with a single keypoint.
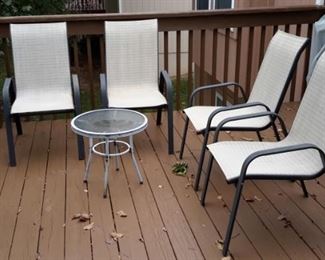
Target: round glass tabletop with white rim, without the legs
[{"x": 109, "y": 123}]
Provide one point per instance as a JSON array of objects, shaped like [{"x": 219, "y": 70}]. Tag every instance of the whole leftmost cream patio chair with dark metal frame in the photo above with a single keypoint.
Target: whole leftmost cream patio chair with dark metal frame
[{"x": 42, "y": 82}]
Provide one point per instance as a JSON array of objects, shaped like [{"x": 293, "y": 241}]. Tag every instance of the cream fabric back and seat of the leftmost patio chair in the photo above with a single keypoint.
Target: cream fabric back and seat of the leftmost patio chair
[{"x": 42, "y": 70}]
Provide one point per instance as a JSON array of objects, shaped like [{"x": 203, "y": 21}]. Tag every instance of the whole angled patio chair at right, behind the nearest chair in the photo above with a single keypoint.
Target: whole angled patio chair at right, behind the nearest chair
[{"x": 267, "y": 94}]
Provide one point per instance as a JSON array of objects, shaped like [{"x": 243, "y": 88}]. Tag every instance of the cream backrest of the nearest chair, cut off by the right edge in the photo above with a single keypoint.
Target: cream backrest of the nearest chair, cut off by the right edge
[{"x": 309, "y": 123}]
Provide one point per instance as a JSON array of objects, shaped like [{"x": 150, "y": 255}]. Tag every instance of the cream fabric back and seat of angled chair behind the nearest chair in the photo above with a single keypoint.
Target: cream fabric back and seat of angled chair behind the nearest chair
[{"x": 267, "y": 89}]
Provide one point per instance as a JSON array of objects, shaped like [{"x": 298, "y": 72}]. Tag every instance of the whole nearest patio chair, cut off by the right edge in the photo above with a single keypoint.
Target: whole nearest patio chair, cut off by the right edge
[{"x": 299, "y": 156}]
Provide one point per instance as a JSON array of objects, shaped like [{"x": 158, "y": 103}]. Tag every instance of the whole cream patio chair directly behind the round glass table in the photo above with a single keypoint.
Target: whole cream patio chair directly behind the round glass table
[{"x": 131, "y": 79}]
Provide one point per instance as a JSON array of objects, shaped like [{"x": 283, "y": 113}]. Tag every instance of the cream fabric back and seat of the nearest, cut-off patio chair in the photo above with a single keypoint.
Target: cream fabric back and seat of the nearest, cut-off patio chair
[{"x": 308, "y": 127}]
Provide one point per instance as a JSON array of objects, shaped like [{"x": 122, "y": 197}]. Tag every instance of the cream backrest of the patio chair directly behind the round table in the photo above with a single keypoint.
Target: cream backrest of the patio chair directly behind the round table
[{"x": 132, "y": 53}]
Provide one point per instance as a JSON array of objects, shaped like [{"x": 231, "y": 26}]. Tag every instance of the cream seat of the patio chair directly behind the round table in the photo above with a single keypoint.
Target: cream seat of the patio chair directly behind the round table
[{"x": 135, "y": 97}]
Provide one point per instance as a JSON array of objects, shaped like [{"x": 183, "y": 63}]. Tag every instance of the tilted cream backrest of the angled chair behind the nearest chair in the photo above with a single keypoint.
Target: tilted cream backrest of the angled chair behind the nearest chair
[{"x": 276, "y": 71}]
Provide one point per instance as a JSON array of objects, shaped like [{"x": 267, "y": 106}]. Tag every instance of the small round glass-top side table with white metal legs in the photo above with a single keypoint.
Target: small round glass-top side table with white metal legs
[{"x": 109, "y": 125}]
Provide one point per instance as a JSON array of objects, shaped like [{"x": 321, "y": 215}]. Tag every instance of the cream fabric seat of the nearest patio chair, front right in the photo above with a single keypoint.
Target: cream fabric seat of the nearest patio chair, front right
[{"x": 231, "y": 156}]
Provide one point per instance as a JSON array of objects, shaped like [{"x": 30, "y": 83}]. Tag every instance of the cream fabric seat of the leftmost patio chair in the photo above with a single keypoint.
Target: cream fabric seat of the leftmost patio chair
[{"x": 37, "y": 101}]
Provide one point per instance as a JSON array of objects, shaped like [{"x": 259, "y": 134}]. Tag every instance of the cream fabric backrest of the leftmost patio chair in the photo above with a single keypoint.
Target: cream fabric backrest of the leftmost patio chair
[{"x": 40, "y": 56}]
